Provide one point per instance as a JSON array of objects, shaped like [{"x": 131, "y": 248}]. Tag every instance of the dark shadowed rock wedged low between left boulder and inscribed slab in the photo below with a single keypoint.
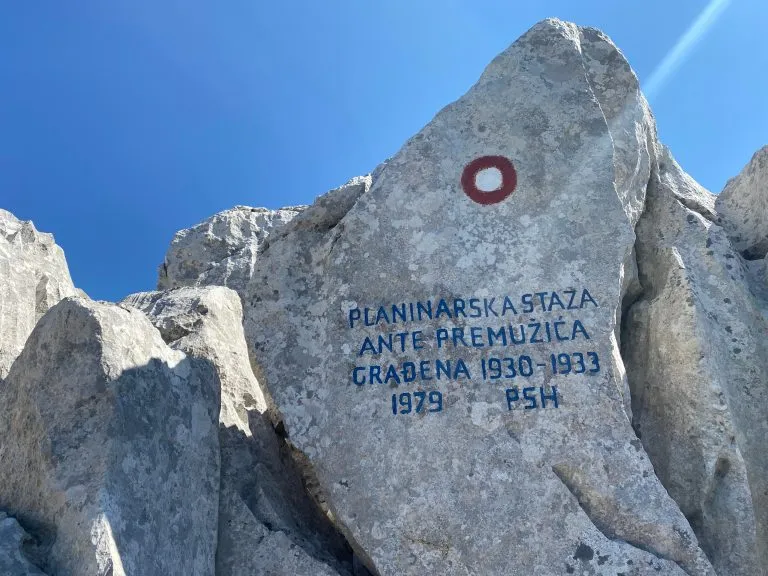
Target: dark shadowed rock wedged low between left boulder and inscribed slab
[{"x": 268, "y": 525}]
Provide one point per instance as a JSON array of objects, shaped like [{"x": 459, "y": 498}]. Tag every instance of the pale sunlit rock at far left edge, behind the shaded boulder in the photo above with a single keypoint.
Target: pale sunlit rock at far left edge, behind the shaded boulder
[{"x": 33, "y": 277}]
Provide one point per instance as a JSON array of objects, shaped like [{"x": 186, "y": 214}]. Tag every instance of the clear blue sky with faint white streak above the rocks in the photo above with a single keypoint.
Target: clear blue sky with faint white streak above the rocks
[{"x": 124, "y": 121}]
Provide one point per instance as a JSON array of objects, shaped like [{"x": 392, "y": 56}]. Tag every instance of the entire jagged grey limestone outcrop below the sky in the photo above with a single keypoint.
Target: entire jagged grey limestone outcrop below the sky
[{"x": 407, "y": 377}]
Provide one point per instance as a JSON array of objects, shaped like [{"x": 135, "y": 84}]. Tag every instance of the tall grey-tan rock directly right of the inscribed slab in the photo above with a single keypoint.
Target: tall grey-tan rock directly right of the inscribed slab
[{"x": 695, "y": 348}]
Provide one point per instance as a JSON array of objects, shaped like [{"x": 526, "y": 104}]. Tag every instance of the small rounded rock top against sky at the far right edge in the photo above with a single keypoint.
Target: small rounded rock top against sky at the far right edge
[{"x": 743, "y": 207}]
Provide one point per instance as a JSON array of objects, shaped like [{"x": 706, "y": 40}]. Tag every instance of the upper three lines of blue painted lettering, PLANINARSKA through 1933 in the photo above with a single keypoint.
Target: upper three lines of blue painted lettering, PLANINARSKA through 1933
[{"x": 503, "y": 325}]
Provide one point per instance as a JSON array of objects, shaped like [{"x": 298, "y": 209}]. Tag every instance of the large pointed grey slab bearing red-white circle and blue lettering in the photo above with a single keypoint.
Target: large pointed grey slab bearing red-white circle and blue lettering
[{"x": 462, "y": 484}]
